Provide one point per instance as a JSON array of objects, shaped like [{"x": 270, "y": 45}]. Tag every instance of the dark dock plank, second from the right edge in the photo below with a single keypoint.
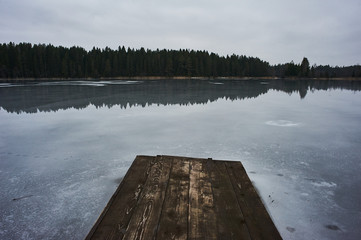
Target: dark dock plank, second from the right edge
[{"x": 230, "y": 220}]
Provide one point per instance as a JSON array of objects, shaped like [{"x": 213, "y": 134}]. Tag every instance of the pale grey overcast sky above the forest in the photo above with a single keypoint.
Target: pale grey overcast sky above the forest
[{"x": 277, "y": 31}]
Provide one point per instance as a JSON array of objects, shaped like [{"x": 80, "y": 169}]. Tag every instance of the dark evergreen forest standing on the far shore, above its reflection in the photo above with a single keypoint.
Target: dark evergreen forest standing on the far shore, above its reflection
[{"x": 26, "y": 60}]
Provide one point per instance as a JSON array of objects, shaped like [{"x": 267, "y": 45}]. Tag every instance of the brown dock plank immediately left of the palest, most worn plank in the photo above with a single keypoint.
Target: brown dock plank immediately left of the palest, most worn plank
[{"x": 174, "y": 217}]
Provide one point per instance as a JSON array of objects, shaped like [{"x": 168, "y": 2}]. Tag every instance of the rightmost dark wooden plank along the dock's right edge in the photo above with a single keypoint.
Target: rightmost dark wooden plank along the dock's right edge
[{"x": 256, "y": 216}]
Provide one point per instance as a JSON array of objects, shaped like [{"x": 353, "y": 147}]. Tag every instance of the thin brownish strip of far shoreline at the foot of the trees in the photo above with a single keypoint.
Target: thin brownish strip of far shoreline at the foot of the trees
[{"x": 12, "y": 80}]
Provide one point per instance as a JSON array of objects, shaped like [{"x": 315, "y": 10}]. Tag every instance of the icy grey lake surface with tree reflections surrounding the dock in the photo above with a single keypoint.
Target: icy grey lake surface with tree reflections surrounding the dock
[{"x": 65, "y": 146}]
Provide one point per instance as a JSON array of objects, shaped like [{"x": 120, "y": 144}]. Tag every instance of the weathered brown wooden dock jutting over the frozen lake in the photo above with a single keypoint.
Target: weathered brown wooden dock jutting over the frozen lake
[{"x": 167, "y": 197}]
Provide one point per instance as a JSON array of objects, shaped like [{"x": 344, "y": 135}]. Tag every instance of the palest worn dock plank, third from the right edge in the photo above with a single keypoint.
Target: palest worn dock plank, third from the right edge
[{"x": 201, "y": 216}]
